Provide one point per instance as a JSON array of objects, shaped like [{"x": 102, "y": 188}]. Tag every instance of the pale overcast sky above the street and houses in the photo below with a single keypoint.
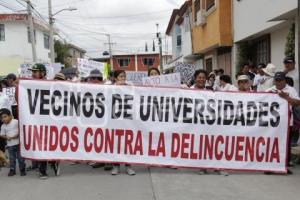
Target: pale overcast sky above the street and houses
[{"x": 131, "y": 23}]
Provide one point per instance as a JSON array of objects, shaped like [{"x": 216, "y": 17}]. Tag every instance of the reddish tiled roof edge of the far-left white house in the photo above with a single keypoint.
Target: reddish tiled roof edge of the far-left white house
[{"x": 23, "y": 18}]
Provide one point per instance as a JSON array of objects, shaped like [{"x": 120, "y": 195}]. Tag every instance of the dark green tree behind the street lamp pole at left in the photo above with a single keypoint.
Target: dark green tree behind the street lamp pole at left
[{"x": 62, "y": 51}]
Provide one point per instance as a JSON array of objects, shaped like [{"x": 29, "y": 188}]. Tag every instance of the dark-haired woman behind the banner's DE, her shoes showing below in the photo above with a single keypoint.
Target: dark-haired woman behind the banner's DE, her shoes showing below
[{"x": 120, "y": 77}]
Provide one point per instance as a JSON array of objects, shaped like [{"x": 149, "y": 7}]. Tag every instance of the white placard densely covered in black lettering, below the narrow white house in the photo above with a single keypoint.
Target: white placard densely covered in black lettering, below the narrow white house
[{"x": 186, "y": 71}]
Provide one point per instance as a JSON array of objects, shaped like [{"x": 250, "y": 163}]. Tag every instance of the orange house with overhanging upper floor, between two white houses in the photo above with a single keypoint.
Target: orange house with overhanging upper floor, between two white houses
[{"x": 212, "y": 33}]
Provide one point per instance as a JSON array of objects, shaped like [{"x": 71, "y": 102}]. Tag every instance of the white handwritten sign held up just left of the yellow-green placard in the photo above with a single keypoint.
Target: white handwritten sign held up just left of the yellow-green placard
[{"x": 85, "y": 66}]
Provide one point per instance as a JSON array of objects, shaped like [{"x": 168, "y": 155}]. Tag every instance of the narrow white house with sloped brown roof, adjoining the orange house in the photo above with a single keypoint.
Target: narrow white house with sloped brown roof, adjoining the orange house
[{"x": 179, "y": 29}]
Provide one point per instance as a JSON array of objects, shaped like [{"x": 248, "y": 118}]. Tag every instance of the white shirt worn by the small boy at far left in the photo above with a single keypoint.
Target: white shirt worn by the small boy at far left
[{"x": 10, "y": 130}]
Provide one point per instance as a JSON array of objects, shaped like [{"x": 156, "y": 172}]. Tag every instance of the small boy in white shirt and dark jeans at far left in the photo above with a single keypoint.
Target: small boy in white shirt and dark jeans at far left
[{"x": 10, "y": 132}]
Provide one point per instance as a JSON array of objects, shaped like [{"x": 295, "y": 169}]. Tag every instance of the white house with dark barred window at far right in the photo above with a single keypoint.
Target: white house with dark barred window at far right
[{"x": 261, "y": 28}]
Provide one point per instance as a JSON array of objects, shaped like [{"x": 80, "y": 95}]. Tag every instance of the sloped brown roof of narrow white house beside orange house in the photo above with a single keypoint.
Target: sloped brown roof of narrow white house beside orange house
[{"x": 178, "y": 15}]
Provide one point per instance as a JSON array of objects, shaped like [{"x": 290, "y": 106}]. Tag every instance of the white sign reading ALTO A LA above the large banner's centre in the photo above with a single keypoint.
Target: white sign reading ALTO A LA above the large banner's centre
[{"x": 169, "y": 80}]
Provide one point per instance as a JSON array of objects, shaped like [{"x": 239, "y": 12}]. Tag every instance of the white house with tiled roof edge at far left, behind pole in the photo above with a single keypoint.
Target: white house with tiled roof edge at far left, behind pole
[{"x": 15, "y": 41}]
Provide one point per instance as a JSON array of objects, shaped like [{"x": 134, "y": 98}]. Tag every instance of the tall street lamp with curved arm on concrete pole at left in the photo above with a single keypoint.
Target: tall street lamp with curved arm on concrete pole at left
[{"x": 51, "y": 23}]
